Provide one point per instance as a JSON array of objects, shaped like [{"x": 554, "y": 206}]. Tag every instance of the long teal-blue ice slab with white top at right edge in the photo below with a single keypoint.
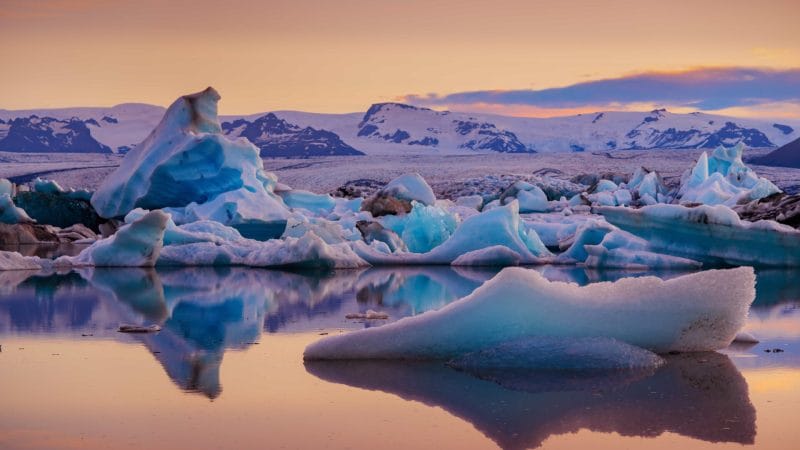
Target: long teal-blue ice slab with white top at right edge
[{"x": 710, "y": 234}]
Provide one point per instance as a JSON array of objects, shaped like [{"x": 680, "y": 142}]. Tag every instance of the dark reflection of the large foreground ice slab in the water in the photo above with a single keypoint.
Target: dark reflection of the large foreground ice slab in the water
[{"x": 699, "y": 396}]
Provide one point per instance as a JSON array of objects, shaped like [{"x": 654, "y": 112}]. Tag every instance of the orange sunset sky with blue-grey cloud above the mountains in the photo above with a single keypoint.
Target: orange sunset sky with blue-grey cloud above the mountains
[{"x": 520, "y": 57}]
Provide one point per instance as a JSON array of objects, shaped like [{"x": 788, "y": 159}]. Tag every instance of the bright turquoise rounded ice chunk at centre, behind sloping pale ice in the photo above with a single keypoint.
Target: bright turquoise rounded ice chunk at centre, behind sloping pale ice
[{"x": 424, "y": 228}]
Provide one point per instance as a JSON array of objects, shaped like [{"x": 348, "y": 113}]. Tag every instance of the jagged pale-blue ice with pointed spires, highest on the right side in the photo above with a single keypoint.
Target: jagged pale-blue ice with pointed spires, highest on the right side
[{"x": 723, "y": 179}]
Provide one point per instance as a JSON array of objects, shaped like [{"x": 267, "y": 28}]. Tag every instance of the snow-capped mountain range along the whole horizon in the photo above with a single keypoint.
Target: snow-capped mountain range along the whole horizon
[{"x": 395, "y": 128}]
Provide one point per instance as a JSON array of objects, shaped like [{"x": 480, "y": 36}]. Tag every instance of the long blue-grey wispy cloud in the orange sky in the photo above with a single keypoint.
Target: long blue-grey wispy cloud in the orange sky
[{"x": 705, "y": 89}]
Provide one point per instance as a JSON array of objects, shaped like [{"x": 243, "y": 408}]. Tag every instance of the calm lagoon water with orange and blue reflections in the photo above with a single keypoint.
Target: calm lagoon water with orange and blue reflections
[{"x": 226, "y": 371}]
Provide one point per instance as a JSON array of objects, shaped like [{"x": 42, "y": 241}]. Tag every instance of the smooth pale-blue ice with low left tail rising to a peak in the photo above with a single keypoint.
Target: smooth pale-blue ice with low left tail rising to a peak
[{"x": 498, "y": 226}]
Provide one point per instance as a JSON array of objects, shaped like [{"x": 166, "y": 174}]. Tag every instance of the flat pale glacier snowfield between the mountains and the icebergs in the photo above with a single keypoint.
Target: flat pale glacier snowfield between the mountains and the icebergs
[{"x": 450, "y": 176}]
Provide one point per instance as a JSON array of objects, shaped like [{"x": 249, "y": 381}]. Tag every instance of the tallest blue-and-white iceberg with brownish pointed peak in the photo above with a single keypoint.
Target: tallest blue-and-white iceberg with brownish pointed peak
[{"x": 187, "y": 166}]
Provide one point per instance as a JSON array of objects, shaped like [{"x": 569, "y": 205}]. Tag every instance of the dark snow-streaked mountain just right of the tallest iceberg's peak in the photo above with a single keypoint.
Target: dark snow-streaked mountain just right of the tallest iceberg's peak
[{"x": 279, "y": 138}]
